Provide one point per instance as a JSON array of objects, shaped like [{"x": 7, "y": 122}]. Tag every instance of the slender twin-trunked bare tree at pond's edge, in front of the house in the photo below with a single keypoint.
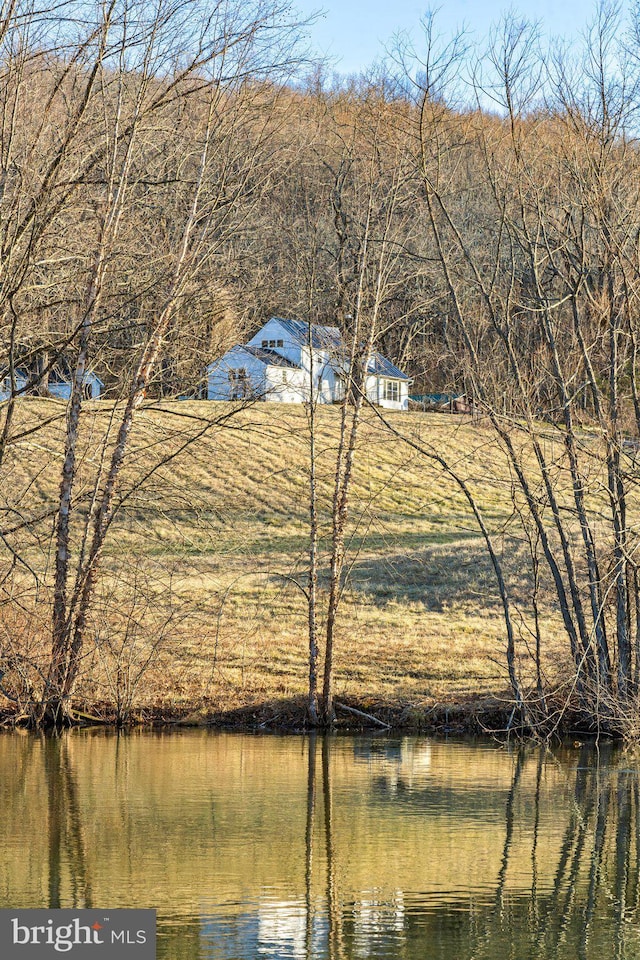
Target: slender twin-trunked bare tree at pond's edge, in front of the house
[{"x": 368, "y": 189}]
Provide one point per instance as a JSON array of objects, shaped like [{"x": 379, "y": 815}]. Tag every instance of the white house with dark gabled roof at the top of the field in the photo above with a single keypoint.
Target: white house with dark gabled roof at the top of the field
[{"x": 288, "y": 362}]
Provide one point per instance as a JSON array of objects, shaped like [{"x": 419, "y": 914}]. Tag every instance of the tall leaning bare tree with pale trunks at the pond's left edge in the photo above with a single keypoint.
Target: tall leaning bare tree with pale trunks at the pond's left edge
[{"x": 162, "y": 121}]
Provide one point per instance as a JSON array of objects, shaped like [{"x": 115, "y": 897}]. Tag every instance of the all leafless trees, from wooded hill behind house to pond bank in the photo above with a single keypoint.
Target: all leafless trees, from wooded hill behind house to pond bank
[{"x": 174, "y": 173}]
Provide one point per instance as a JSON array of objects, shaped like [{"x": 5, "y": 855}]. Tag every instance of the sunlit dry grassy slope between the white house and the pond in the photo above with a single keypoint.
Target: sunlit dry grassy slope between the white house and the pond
[{"x": 201, "y": 596}]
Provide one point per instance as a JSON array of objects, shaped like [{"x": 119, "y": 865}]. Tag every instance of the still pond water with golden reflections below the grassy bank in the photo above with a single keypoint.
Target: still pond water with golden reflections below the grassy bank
[{"x": 339, "y": 848}]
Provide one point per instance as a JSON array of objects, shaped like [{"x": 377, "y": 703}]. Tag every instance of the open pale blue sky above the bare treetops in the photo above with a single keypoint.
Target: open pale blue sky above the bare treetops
[{"x": 354, "y": 32}]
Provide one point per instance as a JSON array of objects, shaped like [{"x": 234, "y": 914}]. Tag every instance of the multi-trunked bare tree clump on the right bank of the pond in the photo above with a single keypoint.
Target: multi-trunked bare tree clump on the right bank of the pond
[{"x": 542, "y": 282}]
